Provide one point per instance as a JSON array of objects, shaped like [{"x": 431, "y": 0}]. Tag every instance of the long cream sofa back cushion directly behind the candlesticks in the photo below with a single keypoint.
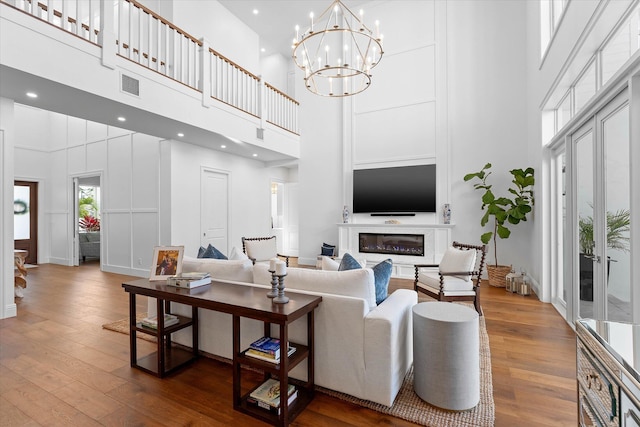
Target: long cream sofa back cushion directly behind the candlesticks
[{"x": 358, "y": 283}]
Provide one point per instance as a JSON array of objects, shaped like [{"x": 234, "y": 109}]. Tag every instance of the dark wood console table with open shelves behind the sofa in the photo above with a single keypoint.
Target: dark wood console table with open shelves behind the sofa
[{"x": 239, "y": 301}]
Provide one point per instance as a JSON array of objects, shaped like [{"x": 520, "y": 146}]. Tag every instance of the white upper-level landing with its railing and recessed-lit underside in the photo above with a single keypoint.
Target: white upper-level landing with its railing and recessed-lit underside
[{"x": 127, "y": 62}]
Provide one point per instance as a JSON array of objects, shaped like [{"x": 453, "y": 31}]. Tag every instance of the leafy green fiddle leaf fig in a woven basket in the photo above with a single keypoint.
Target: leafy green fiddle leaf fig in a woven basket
[{"x": 501, "y": 212}]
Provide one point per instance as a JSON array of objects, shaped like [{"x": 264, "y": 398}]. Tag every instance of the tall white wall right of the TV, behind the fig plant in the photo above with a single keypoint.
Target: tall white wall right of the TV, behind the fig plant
[{"x": 488, "y": 115}]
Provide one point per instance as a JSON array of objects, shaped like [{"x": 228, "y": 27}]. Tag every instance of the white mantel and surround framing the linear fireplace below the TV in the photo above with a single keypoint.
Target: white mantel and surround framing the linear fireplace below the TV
[{"x": 437, "y": 238}]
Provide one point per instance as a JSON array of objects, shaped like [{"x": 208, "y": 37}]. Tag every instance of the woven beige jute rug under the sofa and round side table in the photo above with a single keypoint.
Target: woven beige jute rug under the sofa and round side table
[{"x": 407, "y": 405}]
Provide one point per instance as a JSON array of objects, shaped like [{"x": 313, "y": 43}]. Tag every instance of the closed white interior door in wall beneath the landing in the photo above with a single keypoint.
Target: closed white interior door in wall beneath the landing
[{"x": 214, "y": 213}]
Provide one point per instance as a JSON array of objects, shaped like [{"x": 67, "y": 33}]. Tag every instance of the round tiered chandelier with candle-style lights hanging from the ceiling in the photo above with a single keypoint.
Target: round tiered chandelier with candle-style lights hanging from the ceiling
[{"x": 337, "y": 52}]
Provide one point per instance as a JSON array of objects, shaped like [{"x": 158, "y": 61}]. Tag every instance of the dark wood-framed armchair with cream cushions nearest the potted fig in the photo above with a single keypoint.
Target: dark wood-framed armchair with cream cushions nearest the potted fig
[{"x": 456, "y": 278}]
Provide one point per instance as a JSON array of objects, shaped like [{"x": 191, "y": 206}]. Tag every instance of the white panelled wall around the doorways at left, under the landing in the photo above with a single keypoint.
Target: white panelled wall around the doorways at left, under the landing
[{"x": 51, "y": 148}]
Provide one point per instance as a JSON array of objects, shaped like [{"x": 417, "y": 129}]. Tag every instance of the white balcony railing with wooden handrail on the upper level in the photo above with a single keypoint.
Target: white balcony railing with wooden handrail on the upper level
[{"x": 146, "y": 38}]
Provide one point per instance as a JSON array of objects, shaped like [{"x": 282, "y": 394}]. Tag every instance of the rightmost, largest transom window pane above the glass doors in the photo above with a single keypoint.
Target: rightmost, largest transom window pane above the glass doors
[{"x": 621, "y": 47}]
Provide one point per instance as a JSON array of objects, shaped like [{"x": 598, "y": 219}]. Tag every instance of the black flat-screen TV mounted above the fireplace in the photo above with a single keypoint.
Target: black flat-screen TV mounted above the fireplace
[{"x": 396, "y": 190}]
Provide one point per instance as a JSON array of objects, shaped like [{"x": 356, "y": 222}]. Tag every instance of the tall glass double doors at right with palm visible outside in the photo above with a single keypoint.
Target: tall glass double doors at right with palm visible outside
[{"x": 602, "y": 214}]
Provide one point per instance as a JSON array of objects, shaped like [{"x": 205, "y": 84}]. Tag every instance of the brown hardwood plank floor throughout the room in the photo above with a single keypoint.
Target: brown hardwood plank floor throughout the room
[{"x": 59, "y": 367}]
